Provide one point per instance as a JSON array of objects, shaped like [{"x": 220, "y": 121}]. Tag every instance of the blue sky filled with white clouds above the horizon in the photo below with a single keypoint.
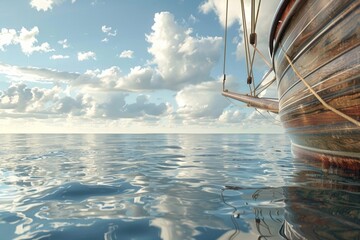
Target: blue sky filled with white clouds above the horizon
[{"x": 127, "y": 66}]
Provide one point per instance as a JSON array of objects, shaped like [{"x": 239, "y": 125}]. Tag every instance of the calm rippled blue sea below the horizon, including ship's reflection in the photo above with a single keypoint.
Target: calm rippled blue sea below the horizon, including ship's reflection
[{"x": 170, "y": 187}]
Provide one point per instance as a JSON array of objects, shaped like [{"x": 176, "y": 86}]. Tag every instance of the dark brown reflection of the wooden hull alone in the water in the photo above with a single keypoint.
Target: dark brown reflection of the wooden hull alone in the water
[{"x": 327, "y": 206}]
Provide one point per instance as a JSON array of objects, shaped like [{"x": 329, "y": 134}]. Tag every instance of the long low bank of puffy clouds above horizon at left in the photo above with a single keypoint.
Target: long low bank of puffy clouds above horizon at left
[{"x": 22, "y": 101}]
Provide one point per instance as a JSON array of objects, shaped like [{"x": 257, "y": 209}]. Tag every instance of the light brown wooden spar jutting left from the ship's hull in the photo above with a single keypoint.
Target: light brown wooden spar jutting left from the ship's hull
[{"x": 260, "y": 103}]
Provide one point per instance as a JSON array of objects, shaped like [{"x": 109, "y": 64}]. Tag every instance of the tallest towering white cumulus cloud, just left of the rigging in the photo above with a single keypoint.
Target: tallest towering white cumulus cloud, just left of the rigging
[{"x": 181, "y": 58}]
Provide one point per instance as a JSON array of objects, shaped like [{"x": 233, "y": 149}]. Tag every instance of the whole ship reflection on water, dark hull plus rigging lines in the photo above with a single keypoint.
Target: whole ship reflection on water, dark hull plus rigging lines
[{"x": 319, "y": 203}]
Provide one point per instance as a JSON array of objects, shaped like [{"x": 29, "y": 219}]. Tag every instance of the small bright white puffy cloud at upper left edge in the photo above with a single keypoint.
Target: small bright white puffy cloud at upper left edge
[{"x": 25, "y": 38}]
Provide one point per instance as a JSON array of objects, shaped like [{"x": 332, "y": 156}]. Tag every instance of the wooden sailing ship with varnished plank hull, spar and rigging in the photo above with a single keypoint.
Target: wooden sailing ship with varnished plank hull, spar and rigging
[{"x": 315, "y": 51}]
